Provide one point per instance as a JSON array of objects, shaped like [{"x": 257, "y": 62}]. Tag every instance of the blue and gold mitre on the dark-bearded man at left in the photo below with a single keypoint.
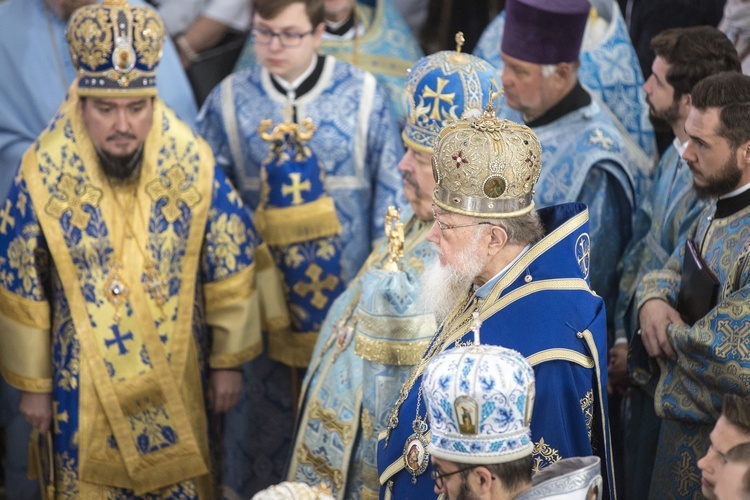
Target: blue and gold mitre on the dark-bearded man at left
[{"x": 116, "y": 48}]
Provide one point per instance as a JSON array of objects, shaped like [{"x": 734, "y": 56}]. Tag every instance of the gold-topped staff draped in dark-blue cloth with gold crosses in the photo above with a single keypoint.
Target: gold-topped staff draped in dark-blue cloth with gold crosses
[{"x": 297, "y": 219}]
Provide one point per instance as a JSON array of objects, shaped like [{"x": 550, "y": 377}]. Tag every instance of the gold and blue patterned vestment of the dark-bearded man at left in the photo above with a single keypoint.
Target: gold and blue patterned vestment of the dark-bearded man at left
[{"x": 128, "y": 376}]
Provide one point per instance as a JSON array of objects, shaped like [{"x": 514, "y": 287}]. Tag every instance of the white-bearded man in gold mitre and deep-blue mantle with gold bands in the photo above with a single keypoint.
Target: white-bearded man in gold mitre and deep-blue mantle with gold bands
[{"x": 524, "y": 274}]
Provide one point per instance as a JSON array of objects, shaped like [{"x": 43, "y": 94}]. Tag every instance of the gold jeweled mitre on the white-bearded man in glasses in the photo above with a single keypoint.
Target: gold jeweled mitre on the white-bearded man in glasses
[{"x": 486, "y": 167}]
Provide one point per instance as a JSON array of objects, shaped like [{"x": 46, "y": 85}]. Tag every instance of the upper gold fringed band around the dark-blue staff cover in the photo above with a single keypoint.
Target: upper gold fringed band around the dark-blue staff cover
[{"x": 285, "y": 226}]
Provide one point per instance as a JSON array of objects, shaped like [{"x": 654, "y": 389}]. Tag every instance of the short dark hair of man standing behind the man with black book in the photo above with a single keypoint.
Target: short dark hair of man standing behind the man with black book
[{"x": 693, "y": 54}]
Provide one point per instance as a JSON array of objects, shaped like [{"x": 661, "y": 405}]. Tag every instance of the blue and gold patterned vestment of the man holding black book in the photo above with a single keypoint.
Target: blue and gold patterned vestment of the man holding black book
[{"x": 713, "y": 357}]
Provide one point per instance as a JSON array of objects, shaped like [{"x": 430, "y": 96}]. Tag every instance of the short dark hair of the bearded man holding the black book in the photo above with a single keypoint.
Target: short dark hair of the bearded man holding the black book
[{"x": 730, "y": 93}]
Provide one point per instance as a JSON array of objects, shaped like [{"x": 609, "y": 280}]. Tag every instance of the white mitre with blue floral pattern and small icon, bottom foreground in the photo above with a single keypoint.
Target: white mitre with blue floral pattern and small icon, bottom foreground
[{"x": 479, "y": 400}]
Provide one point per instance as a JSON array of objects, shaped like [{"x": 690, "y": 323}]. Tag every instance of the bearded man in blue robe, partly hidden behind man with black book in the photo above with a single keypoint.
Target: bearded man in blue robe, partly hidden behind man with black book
[{"x": 665, "y": 217}]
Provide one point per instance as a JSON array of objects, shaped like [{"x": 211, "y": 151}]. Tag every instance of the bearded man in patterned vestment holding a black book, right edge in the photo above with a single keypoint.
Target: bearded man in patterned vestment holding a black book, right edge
[{"x": 694, "y": 329}]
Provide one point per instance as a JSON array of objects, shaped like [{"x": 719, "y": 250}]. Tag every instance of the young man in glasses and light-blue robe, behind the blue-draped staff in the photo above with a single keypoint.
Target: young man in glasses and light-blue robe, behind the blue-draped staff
[{"x": 357, "y": 145}]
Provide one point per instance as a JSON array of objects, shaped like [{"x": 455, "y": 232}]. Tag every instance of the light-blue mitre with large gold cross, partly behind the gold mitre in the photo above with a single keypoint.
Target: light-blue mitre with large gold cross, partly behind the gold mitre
[{"x": 443, "y": 87}]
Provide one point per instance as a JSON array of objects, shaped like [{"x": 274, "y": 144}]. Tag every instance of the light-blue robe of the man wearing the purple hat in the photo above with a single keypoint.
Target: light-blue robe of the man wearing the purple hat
[{"x": 594, "y": 168}]
